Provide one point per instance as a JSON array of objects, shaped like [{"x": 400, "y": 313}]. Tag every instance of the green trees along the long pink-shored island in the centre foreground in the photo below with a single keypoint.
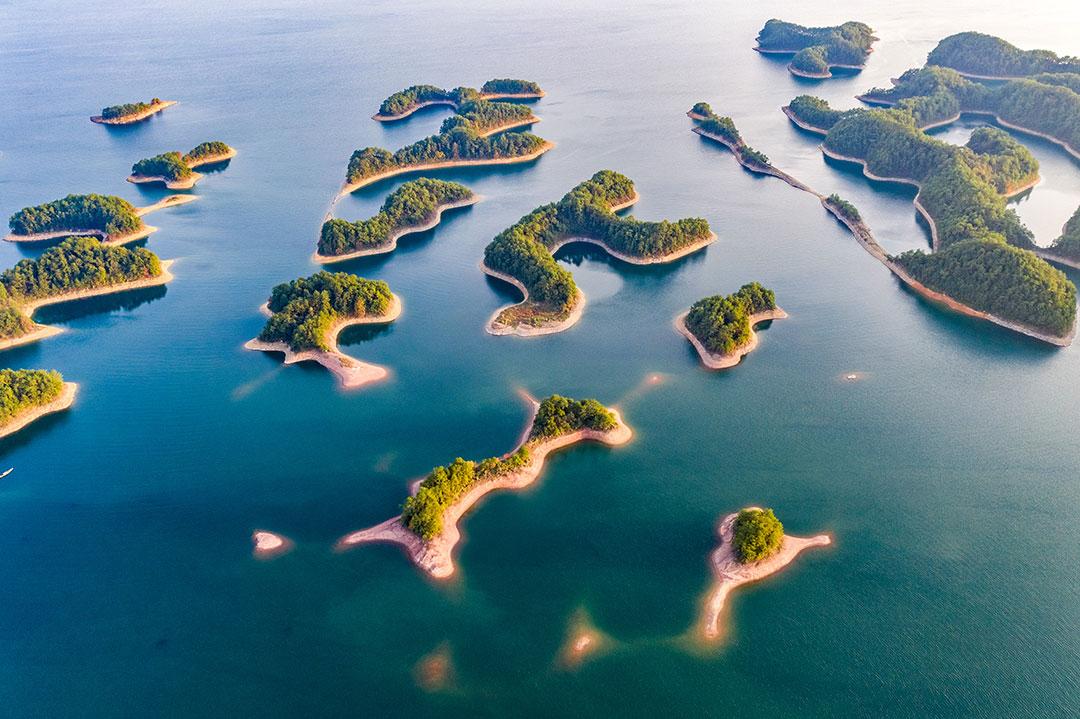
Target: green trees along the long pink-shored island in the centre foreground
[{"x": 557, "y": 416}]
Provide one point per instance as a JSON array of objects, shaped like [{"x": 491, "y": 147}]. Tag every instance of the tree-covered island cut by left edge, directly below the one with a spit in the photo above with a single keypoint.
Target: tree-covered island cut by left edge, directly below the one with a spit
[{"x": 75, "y": 269}]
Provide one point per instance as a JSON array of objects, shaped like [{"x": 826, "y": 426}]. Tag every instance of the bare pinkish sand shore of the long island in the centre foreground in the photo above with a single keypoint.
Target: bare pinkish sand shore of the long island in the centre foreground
[{"x": 437, "y": 555}]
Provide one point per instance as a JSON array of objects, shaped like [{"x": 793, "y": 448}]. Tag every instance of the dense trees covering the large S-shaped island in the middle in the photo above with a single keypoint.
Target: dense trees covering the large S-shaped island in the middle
[{"x": 524, "y": 250}]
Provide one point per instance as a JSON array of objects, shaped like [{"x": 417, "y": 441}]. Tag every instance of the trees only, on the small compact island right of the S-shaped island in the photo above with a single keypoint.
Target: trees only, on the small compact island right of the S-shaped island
[{"x": 722, "y": 323}]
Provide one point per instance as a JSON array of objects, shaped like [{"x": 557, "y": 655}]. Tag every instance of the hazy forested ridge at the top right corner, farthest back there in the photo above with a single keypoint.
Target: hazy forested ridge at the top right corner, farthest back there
[{"x": 985, "y": 56}]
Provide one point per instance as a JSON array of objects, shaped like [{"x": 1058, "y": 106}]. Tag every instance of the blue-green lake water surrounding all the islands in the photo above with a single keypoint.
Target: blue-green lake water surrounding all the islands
[{"x": 949, "y": 476}]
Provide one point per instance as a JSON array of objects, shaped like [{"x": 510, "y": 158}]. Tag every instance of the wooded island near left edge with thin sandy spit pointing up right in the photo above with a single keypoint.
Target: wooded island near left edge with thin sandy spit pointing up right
[{"x": 106, "y": 216}]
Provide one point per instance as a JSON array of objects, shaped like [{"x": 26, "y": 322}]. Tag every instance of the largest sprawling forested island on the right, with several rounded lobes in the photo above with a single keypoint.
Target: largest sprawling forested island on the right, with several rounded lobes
[{"x": 983, "y": 264}]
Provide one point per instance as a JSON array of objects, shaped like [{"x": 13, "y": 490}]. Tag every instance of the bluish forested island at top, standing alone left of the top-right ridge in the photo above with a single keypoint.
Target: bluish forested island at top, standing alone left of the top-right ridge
[{"x": 817, "y": 50}]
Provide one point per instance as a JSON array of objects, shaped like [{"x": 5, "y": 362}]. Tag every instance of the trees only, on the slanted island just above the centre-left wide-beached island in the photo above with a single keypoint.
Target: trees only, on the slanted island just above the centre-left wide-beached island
[{"x": 413, "y": 205}]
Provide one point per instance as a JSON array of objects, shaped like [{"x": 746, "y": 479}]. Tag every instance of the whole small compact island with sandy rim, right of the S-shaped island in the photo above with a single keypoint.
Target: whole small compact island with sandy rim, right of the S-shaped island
[{"x": 722, "y": 328}]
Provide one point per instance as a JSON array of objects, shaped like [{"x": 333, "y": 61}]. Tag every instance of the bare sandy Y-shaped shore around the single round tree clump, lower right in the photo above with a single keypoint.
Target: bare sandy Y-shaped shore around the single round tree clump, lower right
[{"x": 730, "y": 574}]
